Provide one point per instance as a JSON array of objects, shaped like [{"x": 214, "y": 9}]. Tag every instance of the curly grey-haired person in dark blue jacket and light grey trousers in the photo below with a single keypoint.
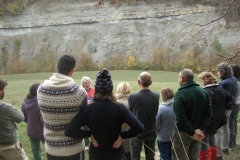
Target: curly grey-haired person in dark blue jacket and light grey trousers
[{"x": 228, "y": 83}]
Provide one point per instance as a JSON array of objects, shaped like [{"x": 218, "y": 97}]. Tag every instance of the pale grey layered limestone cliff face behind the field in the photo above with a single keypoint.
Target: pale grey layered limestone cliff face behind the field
[{"x": 83, "y": 26}]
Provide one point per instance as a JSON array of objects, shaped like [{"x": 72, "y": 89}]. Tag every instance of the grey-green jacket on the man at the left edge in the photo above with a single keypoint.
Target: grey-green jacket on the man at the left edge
[{"x": 8, "y": 129}]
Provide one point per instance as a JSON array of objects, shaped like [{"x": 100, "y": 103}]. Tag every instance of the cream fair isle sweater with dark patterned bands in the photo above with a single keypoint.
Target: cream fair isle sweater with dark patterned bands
[{"x": 60, "y": 99}]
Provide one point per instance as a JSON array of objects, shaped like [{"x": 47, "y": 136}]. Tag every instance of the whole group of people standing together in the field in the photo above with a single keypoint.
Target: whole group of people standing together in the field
[{"x": 64, "y": 115}]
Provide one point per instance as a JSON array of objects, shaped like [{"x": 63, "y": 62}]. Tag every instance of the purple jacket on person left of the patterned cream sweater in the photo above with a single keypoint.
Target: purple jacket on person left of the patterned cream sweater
[{"x": 33, "y": 118}]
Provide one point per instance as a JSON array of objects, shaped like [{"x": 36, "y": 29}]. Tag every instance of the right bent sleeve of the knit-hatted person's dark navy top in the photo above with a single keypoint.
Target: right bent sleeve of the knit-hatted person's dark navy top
[{"x": 136, "y": 126}]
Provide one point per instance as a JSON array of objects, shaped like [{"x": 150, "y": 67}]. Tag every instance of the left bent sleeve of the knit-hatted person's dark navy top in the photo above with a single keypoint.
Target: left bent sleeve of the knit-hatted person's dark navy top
[{"x": 74, "y": 127}]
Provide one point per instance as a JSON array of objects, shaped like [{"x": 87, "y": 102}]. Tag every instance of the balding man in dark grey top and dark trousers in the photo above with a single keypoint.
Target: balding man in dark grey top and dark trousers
[{"x": 144, "y": 105}]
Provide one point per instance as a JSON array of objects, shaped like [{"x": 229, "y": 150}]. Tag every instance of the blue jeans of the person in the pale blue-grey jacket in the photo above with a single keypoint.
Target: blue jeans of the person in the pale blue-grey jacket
[{"x": 165, "y": 150}]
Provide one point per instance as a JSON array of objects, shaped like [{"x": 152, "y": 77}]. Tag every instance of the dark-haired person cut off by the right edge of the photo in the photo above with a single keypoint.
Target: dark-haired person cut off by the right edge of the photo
[{"x": 235, "y": 108}]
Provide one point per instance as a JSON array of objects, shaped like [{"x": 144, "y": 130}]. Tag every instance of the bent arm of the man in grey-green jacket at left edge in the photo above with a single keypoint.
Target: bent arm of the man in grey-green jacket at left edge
[{"x": 15, "y": 115}]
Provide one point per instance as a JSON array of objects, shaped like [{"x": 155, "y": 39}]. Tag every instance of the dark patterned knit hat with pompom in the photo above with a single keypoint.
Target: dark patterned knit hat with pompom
[{"x": 103, "y": 82}]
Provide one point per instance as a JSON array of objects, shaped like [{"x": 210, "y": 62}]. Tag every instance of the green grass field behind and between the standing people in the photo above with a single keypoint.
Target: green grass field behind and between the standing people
[{"x": 19, "y": 84}]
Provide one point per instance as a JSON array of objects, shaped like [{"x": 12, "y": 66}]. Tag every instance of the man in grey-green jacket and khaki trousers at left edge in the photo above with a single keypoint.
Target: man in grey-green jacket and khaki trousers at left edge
[{"x": 10, "y": 148}]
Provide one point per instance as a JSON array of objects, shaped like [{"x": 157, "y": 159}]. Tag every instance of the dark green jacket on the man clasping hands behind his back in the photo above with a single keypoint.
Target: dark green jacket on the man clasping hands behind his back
[{"x": 193, "y": 108}]
